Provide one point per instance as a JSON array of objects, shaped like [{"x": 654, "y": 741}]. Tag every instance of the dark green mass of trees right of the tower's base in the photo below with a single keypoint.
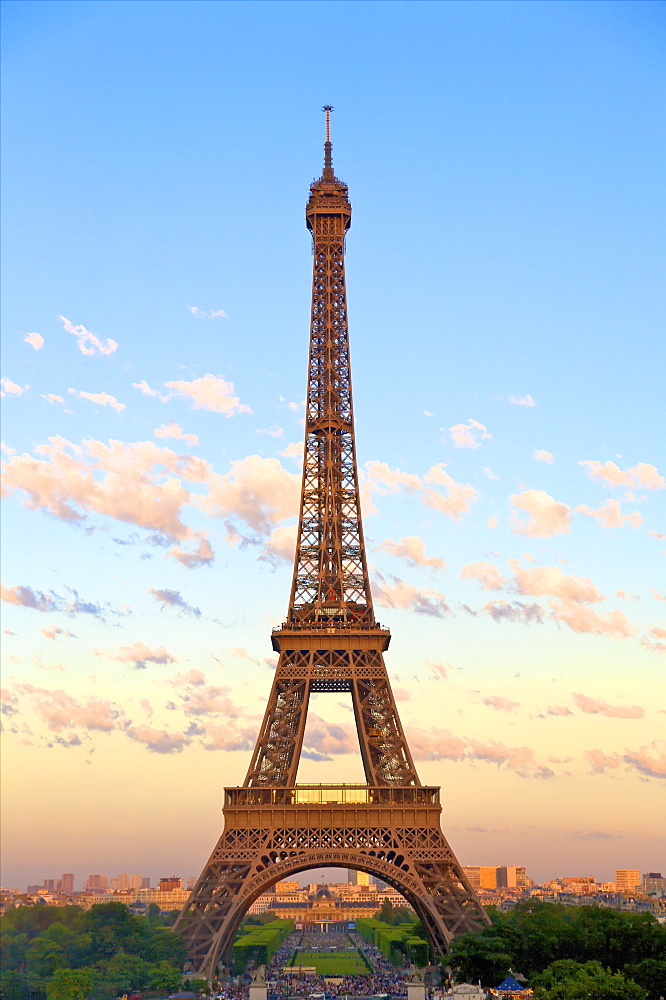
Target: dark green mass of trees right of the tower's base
[{"x": 566, "y": 952}]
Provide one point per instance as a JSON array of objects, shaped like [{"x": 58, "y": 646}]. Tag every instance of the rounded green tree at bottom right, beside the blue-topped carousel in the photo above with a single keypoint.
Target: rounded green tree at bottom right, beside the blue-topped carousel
[{"x": 570, "y": 980}]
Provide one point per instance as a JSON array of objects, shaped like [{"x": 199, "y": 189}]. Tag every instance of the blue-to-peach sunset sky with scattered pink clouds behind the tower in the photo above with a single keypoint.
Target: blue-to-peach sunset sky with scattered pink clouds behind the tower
[{"x": 505, "y": 283}]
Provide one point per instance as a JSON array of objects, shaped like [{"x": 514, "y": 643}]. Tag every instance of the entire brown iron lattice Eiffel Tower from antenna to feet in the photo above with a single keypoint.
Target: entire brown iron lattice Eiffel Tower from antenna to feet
[{"x": 330, "y": 642}]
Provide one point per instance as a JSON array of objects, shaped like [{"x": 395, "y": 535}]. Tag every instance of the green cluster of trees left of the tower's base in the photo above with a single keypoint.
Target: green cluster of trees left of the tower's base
[{"x": 67, "y": 953}]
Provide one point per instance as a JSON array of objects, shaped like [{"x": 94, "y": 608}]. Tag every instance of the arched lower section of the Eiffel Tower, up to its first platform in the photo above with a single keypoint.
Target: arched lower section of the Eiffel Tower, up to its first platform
[{"x": 272, "y": 833}]
